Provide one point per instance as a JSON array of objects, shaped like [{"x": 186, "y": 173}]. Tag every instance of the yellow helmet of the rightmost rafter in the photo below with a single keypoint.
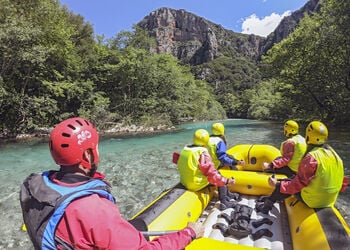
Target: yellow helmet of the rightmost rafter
[{"x": 316, "y": 133}]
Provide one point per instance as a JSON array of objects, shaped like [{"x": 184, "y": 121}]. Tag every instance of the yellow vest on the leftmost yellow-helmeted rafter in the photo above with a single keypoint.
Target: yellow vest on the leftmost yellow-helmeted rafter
[{"x": 188, "y": 164}]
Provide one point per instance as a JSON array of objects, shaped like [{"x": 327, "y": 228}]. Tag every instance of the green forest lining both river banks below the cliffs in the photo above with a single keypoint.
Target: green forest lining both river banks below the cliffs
[{"x": 54, "y": 67}]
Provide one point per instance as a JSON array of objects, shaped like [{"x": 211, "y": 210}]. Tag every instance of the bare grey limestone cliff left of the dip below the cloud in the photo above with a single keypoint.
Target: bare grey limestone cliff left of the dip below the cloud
[{"x": 193, "y": 39}]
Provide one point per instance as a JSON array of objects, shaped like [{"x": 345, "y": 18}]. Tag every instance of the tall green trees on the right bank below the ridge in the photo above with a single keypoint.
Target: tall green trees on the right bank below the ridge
[{"x": 314, "y": 59}]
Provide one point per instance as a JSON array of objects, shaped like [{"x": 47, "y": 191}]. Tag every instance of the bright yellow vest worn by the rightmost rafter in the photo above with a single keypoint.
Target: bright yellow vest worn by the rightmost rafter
[{"x": 324, "y": 188}]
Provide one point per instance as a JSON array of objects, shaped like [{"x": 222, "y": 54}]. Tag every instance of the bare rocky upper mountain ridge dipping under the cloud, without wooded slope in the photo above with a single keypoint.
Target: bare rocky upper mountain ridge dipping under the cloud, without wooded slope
[{"x": 195, "y": 40}]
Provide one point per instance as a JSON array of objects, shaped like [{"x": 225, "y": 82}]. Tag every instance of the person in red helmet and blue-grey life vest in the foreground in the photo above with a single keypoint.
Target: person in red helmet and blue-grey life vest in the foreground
[{"x": 72, "y": 208}]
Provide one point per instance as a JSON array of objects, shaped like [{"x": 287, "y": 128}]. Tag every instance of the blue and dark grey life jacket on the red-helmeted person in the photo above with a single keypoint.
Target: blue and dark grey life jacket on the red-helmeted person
[{"x": 44, "y": 202}]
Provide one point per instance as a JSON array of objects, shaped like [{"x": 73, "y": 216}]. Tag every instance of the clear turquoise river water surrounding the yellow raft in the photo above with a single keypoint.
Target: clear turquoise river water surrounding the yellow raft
[{"x": 139, "y": 167}]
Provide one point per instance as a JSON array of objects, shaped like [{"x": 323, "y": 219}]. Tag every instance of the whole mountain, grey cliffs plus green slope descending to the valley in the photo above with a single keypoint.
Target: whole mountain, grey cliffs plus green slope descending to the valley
[{"x": 228, "y": 61}]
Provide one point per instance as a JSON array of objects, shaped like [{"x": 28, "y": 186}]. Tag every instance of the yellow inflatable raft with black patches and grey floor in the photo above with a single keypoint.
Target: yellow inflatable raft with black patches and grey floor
[{"x": 289, "y": 225}]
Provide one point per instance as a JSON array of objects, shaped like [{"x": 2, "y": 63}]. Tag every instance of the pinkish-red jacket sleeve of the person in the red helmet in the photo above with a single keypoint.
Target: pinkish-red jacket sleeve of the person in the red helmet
[{"x": 95, "y": 221}]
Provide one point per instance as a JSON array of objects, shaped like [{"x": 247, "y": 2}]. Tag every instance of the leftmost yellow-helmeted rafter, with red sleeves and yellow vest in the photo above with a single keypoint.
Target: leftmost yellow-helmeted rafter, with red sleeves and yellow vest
[{"x": 196, "y": 167}]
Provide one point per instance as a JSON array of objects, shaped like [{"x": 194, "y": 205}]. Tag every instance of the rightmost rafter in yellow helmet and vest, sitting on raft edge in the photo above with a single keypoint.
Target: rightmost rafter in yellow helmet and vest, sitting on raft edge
[{"x": 319, "y": 178}]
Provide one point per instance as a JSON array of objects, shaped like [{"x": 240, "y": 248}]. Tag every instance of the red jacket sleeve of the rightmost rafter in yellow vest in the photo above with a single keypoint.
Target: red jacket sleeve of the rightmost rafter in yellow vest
[{"x": 306, "y": 172}]
